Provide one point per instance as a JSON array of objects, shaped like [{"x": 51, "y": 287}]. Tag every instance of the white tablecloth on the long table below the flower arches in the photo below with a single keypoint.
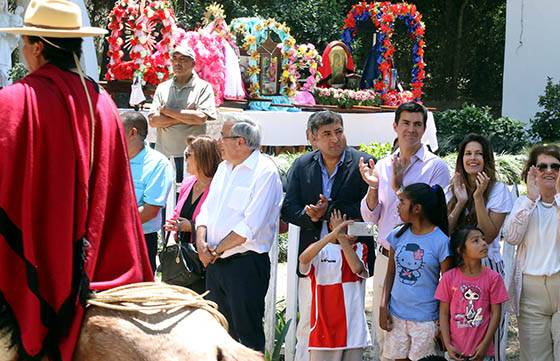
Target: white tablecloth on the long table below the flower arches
[{"x": 288, "y": 128}]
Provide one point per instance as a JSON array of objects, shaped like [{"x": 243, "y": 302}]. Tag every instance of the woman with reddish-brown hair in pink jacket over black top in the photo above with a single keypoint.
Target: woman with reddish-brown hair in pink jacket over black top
[{"x": 202, "y": 156}]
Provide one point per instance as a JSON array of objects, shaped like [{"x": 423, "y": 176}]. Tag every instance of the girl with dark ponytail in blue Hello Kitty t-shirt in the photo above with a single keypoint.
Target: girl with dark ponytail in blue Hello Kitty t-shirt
[{"x": 419, "y": 253}]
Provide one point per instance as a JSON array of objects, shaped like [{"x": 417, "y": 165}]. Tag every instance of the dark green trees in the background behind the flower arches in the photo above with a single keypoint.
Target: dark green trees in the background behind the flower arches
[{"x": 465, "y": 38}]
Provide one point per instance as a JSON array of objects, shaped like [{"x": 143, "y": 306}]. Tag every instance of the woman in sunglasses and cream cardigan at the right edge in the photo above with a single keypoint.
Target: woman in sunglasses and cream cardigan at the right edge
[{"x": 533, "y": 226}]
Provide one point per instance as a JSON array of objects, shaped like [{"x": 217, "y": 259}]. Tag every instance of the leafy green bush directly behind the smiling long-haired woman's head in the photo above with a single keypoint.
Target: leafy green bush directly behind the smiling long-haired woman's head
[{"x": 506, "y": 135}]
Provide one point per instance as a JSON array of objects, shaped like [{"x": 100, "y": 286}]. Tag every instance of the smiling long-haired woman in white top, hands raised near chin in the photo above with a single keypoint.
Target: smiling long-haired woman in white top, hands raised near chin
[{"x": 476, "y": 198}]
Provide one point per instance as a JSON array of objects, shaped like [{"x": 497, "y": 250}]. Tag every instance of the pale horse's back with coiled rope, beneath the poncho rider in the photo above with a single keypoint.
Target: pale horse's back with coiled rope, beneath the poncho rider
[{"x": 177, "y": 325}]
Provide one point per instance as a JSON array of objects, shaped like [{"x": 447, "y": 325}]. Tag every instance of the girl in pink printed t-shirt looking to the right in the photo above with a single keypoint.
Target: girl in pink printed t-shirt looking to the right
[{"x": 471, "y": 298}]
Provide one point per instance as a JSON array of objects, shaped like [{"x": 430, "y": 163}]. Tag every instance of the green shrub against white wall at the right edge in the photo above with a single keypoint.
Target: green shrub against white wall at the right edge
[{"x": 546, "y": 124}]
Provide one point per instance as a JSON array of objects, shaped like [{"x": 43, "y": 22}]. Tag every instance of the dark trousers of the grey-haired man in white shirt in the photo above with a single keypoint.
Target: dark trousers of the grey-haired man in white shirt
[{"x": 238, "y": 284}]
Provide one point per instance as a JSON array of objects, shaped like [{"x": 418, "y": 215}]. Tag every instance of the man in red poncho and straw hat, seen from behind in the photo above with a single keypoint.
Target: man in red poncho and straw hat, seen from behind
[{"x": 68, "y": 218}]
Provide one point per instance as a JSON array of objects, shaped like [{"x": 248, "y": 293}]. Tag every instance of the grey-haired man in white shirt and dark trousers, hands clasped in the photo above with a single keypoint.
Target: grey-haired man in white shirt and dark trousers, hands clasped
[{"x": 235, "y": 230}]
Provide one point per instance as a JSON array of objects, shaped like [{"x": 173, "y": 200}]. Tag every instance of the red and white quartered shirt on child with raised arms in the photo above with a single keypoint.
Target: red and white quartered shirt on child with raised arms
[{"x": 338, "y": 319}]
